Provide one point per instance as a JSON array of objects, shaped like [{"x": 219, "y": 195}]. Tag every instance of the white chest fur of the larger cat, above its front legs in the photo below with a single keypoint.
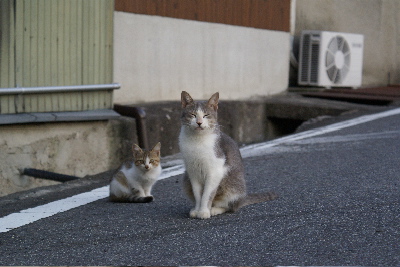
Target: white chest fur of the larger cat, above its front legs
[{"x": 199, "y": 156}]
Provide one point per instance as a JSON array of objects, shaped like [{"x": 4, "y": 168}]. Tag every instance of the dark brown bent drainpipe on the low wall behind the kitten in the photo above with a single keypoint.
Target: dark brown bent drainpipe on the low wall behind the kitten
[{"x": 140, "y": 116}]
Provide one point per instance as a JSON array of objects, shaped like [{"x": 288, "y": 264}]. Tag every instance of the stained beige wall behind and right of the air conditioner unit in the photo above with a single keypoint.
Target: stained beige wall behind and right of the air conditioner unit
[{"x": 378, "y": 20}]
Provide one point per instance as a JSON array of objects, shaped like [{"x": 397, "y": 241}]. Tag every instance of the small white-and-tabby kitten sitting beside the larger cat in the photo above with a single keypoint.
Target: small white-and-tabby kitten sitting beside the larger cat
[{"x": 134, "y": 179}]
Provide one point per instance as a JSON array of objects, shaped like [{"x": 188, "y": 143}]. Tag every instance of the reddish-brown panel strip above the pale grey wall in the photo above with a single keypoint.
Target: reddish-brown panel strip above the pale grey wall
[{"x": 271, "y": 15}]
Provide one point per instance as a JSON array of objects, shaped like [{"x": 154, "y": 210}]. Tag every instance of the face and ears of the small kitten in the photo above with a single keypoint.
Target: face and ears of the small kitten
[{"x": 147, "y": 160}]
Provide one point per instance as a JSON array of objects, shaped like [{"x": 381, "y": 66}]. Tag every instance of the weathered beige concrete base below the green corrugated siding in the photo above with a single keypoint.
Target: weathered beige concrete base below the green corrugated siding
[{"x": 76, "y": 148}]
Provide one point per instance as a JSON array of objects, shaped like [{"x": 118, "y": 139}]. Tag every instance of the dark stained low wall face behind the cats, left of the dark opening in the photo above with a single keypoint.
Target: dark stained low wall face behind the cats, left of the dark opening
[{"x": 244, "y": 121}]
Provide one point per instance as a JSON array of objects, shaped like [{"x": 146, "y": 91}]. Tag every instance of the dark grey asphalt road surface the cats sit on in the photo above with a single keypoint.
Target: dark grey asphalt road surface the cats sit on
[{"x": 338, "y": 205}]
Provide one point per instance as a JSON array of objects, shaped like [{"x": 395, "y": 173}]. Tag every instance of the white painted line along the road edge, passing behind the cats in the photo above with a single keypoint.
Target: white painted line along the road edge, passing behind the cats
[{"x": 31, "y": 215}]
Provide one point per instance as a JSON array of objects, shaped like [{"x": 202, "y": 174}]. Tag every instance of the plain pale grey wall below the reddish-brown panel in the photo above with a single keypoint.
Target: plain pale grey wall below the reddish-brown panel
[{"x": 155, "y": 58}]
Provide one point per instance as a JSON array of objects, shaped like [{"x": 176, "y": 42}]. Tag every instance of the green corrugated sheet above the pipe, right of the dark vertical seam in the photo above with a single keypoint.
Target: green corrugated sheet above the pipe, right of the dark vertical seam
[{"x": 61, "y": 46}]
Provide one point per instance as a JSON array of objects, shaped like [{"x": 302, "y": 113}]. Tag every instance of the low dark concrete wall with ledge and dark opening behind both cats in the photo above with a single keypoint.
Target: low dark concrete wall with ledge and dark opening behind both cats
[{"x": 250, "y": 121}]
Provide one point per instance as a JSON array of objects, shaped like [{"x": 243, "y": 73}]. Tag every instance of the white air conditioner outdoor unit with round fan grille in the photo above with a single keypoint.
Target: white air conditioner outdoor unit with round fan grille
[{"x": 330, "y": 59}]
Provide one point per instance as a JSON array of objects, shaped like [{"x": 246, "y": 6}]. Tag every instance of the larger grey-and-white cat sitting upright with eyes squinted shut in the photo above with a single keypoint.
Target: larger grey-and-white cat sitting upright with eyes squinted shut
[{"x": 214, "y": 177}]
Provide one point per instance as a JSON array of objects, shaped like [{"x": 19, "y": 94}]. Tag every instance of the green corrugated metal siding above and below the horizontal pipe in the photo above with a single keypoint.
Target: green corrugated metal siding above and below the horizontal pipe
[{"x": 57, "y": 43}]
